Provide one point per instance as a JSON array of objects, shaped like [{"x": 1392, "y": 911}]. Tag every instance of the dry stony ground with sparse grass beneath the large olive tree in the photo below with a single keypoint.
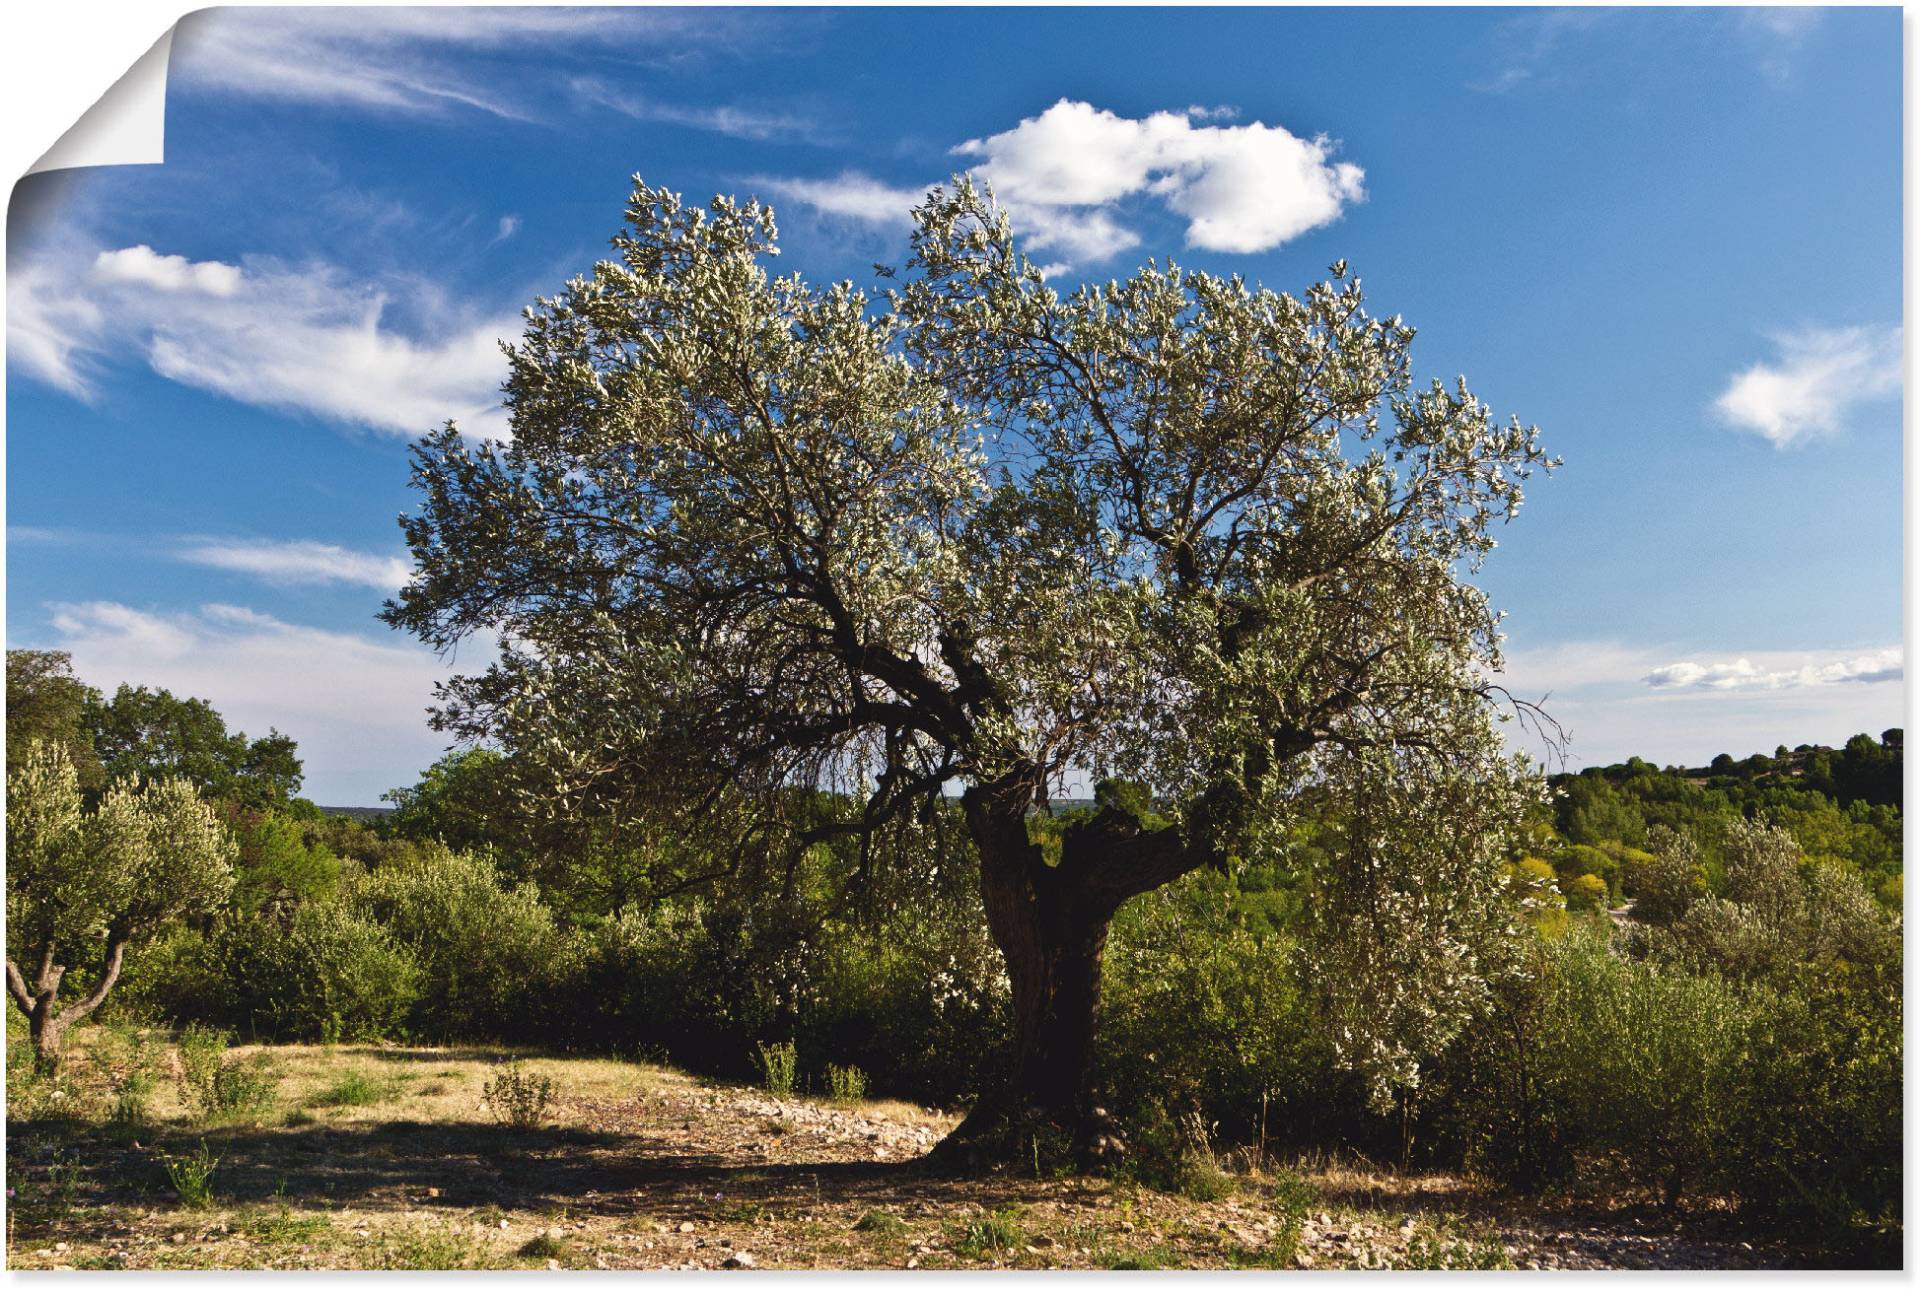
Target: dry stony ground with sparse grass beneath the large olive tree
[{"x": 640, "y": 1167}]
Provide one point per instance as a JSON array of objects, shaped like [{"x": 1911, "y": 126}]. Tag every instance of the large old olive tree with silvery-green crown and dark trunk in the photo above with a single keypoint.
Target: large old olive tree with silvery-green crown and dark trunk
[{"x": 1195, "y": 539}]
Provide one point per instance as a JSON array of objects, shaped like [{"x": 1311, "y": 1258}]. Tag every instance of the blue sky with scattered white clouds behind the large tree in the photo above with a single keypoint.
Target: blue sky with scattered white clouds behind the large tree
[{"x": 1669, "y": 237}]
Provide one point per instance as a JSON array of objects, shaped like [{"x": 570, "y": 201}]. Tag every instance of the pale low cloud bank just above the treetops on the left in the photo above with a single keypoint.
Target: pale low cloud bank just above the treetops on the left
[{"x": 354, "y": 704}]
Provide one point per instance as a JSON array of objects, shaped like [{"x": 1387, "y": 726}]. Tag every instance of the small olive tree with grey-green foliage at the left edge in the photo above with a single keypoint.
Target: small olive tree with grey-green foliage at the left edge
[{"x": 82, "y": 887}]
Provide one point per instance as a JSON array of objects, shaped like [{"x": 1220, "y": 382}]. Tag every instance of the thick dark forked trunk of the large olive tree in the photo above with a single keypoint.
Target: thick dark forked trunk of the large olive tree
[{"x": 1051, "y": 925}]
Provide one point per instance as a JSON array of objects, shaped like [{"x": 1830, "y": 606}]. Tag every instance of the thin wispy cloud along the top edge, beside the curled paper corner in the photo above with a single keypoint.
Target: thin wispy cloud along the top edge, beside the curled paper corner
[{"x": 412, "y": 61}]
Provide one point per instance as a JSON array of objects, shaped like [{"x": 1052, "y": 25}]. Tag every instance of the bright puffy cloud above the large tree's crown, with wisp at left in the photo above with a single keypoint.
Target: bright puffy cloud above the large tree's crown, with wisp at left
[{"x": 1067, "y": 174}]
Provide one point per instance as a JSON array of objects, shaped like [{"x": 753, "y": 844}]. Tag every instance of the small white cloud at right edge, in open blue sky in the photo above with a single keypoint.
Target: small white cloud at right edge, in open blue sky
[{"x": 1819, "y": 378}]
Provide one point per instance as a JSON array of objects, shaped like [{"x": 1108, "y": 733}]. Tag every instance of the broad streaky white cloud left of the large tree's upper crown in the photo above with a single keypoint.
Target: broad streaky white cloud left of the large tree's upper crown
[{"x": 306, "y": 339}]
